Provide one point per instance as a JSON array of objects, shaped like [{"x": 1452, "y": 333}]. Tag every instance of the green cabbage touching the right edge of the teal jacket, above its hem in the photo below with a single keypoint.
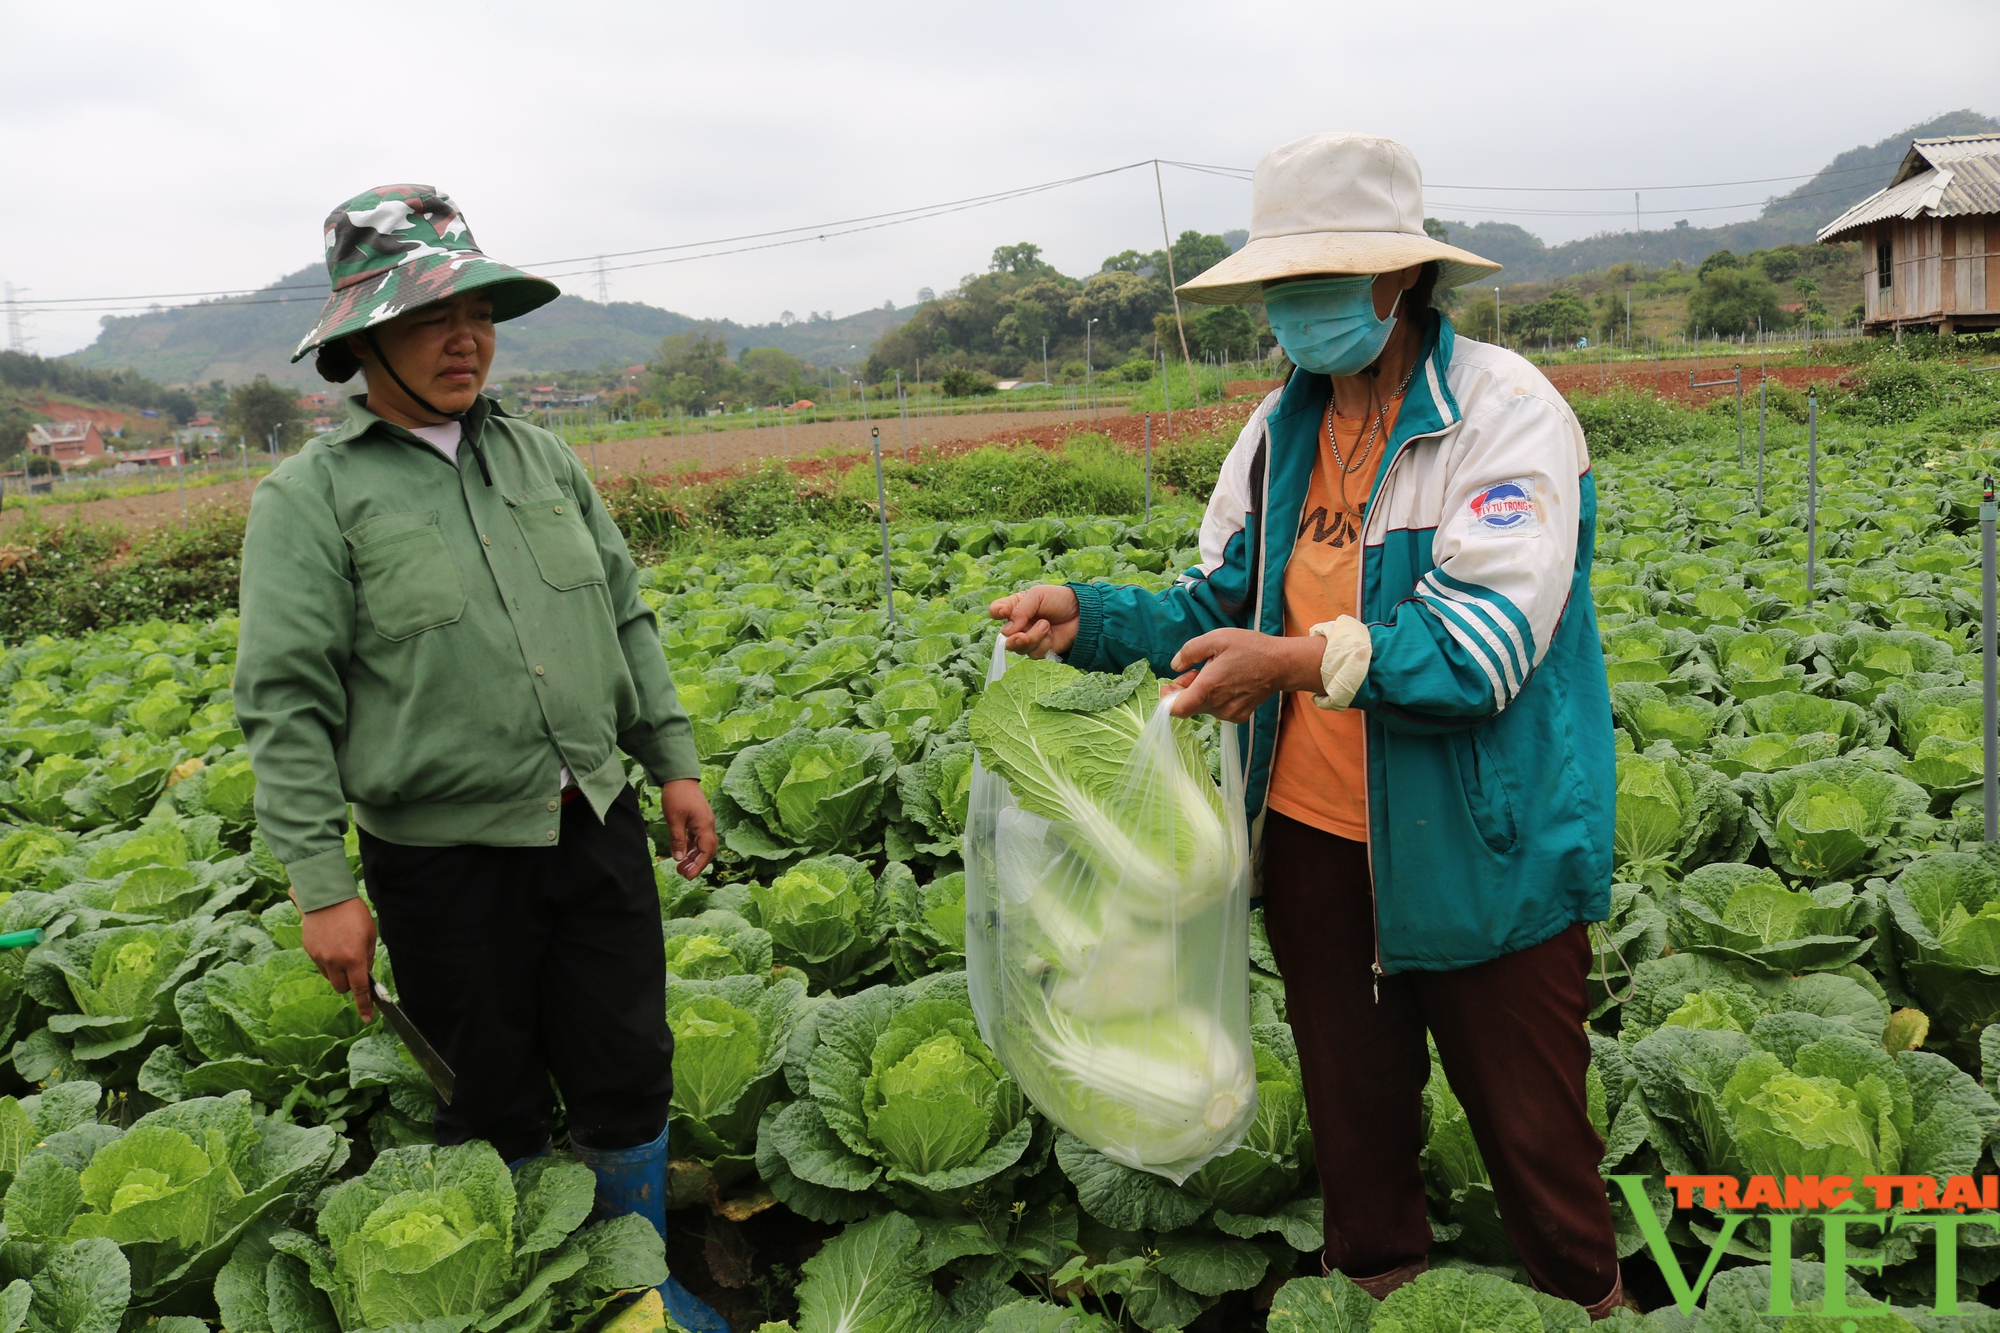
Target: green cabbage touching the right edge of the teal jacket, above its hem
[{"x": 1673, "y": 816}]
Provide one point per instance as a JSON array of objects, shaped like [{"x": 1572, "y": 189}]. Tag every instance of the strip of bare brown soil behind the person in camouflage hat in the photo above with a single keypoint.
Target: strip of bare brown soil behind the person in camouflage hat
[{"x": 709, "y": 453}]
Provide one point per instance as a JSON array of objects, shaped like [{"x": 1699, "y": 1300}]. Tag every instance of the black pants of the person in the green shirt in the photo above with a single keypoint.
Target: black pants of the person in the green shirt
[{"x": 531, "y": 962}]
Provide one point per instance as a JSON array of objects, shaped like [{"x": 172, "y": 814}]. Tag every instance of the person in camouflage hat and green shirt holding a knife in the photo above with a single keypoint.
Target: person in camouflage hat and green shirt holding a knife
[{"x": 443, "y": 631}]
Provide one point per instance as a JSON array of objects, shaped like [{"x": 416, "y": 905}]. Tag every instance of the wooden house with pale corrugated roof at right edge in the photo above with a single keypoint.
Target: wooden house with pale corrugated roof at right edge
[{"x": 1931, "y": 239}]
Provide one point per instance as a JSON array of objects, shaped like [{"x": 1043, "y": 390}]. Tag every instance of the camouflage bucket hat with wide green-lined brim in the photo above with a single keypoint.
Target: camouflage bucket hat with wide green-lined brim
[{"x": 395, "y": 249}]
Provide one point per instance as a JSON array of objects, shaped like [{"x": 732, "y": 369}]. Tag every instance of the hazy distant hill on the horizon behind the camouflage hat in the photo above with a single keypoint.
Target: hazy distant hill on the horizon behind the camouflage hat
[{"x": 243, "y": 337}]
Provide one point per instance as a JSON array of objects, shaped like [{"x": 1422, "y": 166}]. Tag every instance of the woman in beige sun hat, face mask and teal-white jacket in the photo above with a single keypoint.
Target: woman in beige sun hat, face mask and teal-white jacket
[{"x": 1395, "y": 595}]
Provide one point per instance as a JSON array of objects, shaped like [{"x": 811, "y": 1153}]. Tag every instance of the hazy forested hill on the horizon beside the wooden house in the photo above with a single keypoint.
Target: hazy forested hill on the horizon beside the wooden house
[{"x": 1787, "y": 219}]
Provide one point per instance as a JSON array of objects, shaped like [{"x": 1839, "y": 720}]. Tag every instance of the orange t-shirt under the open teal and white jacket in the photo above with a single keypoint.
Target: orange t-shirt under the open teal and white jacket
[{"x": 1321, "y": 776}]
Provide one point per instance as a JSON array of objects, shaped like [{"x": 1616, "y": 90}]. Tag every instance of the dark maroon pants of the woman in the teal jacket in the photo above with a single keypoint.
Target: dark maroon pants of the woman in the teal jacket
[{"x": 1511, "y": 1040}]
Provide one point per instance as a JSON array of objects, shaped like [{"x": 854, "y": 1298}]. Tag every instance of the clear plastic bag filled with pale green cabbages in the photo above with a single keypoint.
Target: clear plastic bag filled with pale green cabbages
[{"x": 1107, "y": 952}]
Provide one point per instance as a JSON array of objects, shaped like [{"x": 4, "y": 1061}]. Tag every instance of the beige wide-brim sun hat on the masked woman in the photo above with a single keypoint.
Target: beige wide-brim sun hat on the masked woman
[{"x": 1333, "y": 205}]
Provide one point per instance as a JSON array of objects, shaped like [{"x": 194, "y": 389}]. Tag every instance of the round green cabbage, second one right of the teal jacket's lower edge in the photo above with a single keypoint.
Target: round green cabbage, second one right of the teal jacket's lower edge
[{"x": 1835, "y": 818}]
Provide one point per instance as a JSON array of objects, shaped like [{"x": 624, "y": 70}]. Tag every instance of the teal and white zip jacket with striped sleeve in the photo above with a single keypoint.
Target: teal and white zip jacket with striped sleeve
[{"x": 1491, "y": 774}]
